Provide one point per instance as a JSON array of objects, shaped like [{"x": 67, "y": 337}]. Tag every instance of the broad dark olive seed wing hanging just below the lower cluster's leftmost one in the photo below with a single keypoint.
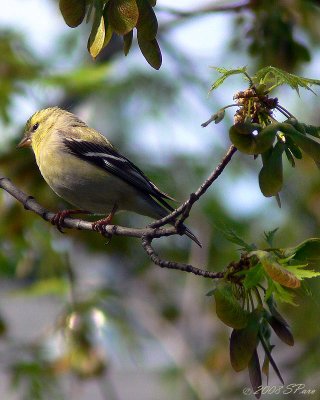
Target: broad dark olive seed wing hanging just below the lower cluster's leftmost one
[{"x": 243, "y": 343}]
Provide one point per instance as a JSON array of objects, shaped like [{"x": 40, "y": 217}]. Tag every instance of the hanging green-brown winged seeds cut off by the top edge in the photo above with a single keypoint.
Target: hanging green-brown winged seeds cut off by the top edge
[{"x": 119, "y": 17}]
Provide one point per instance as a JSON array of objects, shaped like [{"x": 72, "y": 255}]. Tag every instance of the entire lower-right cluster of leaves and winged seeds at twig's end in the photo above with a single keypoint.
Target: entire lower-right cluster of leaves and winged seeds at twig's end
[{"x": 246, "y": 305}]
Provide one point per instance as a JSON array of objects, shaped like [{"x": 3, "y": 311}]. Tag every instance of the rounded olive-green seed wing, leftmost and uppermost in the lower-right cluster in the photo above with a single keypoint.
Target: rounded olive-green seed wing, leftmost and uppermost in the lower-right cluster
[{"x": 228, "y": 309}]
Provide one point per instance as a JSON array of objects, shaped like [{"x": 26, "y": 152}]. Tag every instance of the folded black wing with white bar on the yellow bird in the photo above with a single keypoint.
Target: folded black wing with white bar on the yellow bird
[{"x": 110, "y": 160}]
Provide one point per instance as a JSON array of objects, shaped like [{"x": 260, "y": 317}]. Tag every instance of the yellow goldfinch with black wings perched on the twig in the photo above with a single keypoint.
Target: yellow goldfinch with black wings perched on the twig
[{"x": 83, "y": 167}]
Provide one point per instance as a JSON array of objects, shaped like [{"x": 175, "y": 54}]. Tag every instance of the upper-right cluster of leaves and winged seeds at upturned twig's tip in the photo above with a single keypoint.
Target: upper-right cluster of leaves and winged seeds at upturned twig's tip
[{"x": 256, "y": 131}]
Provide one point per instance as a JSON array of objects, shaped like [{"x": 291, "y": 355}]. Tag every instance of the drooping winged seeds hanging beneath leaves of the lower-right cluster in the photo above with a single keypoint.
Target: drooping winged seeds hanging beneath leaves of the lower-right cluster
[{"x": 251, "y": 328}]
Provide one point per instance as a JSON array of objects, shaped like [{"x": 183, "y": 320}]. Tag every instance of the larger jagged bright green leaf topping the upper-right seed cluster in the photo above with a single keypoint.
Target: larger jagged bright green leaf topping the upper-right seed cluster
[{"x": 274, "y": 77}]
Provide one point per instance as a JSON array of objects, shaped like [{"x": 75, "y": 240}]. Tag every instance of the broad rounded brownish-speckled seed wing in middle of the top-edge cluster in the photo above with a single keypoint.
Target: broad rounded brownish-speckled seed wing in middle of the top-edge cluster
[{"x": 123, "y": 15}]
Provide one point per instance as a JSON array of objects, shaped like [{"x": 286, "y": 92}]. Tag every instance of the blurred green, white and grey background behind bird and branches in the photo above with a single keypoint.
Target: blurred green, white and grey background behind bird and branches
[{"x": 84, "y": 319}]
